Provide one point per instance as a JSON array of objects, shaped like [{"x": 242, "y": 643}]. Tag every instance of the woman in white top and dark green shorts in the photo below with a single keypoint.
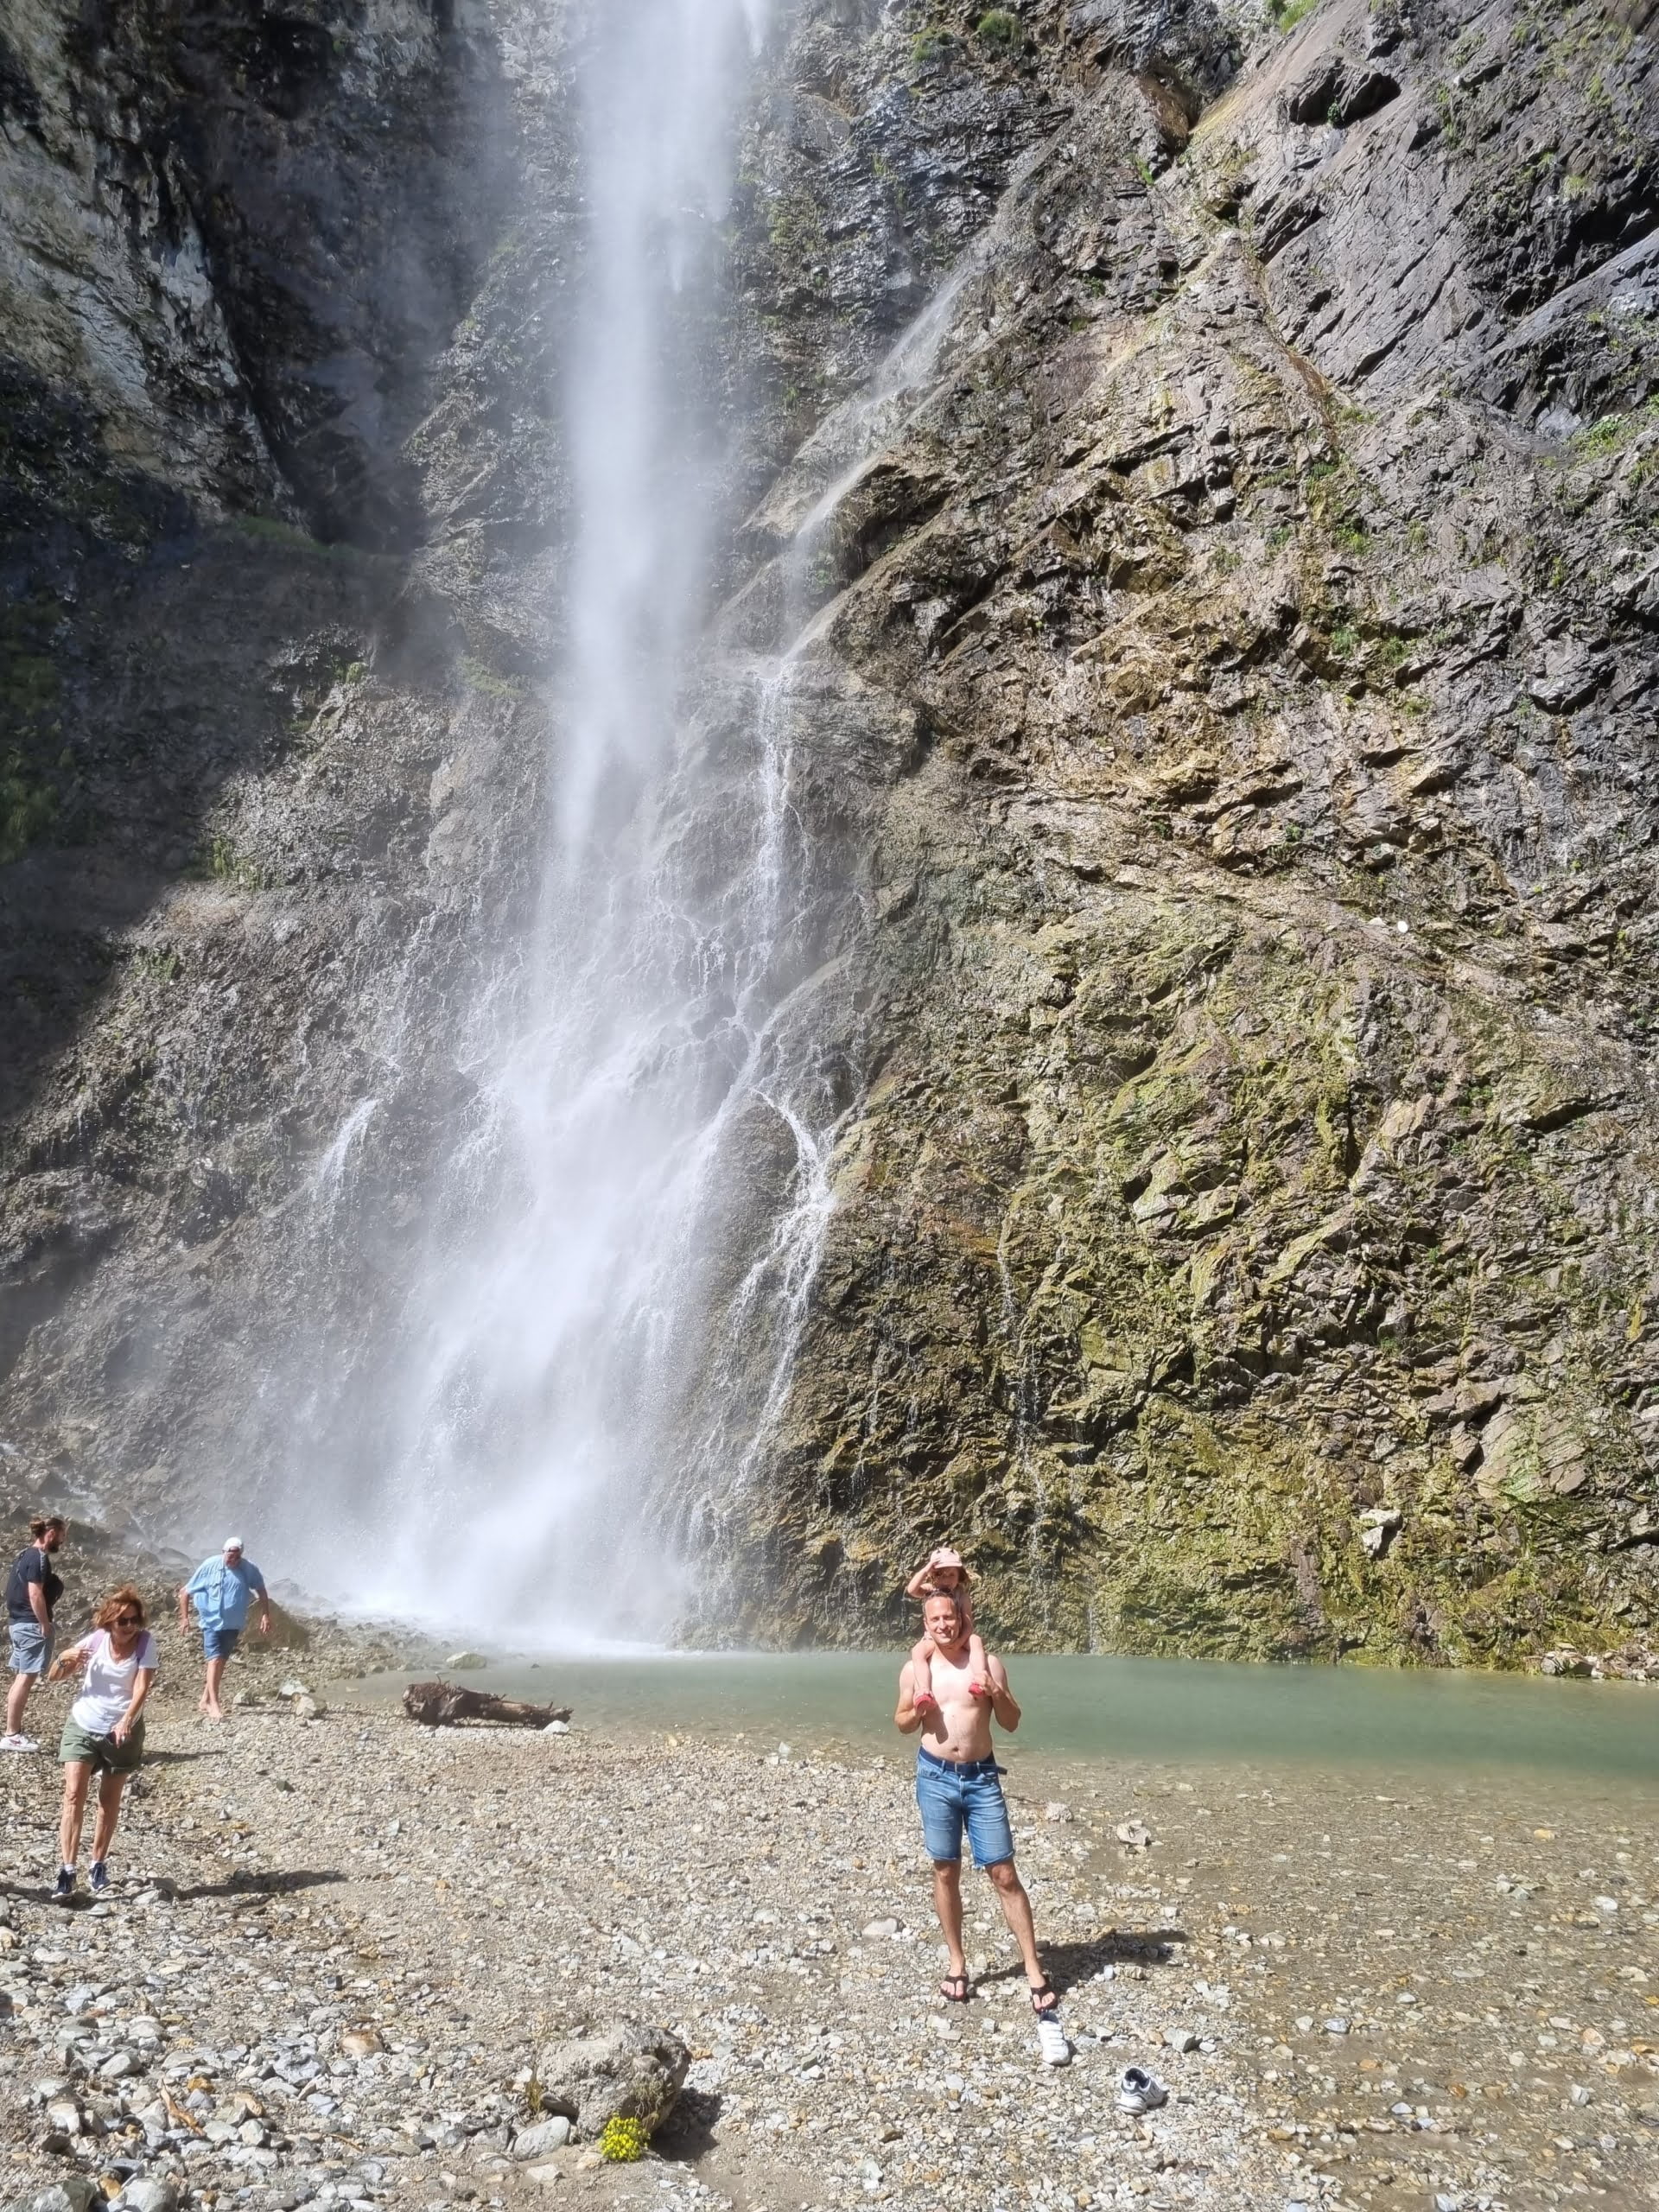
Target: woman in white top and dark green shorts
[{"x": 105, "y": 1729}]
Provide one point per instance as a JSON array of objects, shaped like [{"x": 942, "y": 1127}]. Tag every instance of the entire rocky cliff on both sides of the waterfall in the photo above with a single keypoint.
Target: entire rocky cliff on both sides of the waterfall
[{"x": 1229, "y": 711}]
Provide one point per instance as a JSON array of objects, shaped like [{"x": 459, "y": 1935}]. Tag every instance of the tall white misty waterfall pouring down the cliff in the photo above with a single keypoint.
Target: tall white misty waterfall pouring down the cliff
[{"x": 616, "y": 1050}]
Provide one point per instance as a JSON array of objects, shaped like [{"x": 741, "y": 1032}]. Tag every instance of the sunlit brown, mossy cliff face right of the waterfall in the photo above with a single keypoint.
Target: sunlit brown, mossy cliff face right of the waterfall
[{"x": 1233, "y": 1240}]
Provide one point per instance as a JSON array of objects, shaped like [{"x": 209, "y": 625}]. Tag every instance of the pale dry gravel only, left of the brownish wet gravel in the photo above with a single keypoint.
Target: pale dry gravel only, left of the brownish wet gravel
[{"x": 337, "y": 1945}]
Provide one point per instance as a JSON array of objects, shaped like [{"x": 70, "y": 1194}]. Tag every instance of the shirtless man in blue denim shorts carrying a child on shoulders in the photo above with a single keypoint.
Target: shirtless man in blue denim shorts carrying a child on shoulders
[{"x": 957, "y": 1788}]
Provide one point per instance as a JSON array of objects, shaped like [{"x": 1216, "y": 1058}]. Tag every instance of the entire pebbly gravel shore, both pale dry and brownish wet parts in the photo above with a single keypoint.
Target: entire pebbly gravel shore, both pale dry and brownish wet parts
[{"x": 337, "y": 1948}]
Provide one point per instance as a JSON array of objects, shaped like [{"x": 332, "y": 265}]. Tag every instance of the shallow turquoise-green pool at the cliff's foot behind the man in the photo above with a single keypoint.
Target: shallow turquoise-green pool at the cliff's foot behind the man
[{"x": 1167, "y": 1711}]
